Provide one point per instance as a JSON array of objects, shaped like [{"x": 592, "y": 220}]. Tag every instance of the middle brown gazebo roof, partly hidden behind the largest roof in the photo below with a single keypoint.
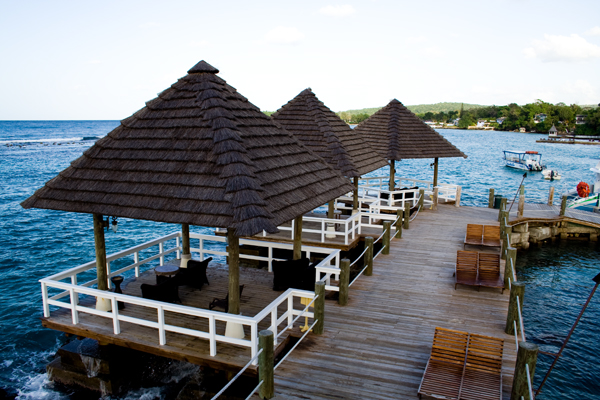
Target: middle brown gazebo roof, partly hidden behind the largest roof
[{"x": 322, "y": 131}]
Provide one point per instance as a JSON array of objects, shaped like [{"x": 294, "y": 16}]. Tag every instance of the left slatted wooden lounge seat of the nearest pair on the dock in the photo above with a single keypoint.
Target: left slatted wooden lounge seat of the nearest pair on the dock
[{"x": 443, "y": 374}]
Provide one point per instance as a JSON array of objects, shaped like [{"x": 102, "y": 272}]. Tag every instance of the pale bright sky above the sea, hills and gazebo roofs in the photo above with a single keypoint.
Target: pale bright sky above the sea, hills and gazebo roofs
[{"x": 73, "y": 60}]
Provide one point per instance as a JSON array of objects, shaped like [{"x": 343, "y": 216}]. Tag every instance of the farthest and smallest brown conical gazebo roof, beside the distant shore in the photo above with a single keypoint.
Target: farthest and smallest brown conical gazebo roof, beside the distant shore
[{"x": 396, "y": 133}]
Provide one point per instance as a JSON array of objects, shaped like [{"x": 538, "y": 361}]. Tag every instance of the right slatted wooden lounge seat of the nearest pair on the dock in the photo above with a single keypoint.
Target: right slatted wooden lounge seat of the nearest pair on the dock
[{"x": 482, "y": 378}]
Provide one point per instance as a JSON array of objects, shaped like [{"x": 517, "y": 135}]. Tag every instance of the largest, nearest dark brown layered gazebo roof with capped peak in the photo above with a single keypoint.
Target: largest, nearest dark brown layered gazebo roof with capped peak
[{"x": 202, "y": 154}]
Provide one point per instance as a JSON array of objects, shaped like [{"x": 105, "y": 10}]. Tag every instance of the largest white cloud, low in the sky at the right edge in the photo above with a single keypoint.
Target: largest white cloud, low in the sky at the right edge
[{"x": 562, "y": 48}]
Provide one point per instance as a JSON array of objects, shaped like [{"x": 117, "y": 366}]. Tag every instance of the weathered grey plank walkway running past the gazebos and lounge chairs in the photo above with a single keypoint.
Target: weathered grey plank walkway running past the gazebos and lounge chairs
[{"x": 377, "y": 346}]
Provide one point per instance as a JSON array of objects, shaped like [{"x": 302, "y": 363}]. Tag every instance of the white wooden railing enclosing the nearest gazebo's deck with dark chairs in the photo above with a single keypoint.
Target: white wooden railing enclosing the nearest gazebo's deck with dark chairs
[{"x": 74, "y": 290}]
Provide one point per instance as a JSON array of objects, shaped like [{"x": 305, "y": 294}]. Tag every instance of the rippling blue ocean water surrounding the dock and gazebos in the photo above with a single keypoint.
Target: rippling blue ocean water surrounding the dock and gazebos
[{"x": 38, "y": 243}]
